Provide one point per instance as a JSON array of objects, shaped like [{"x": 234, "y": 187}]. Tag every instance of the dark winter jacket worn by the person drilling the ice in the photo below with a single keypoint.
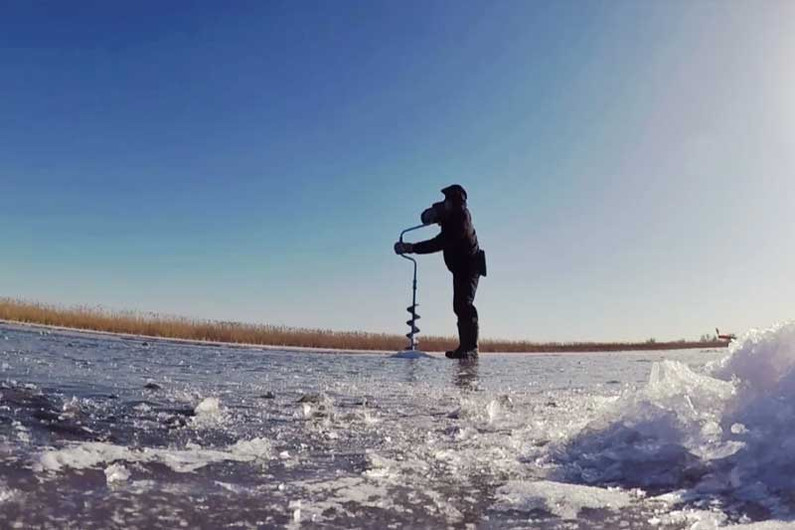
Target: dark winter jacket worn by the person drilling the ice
[{"x": 458, "y": 241}]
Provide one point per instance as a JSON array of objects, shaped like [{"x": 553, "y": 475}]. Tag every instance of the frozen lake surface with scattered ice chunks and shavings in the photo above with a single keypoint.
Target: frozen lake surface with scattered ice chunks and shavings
[{"x": 107, "y": 432}]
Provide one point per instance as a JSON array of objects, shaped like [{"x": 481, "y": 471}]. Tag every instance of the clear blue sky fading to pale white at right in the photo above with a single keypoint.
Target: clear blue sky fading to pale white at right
[{"x": 630, "y": 165}]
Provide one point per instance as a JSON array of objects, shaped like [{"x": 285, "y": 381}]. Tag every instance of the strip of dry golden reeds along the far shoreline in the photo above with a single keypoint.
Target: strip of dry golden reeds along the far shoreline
[{"x": 175, "y": 327}]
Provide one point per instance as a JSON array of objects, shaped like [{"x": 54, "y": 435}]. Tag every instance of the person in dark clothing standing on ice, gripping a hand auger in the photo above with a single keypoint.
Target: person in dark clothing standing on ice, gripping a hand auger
[{"x": 463, "y": 257}]
